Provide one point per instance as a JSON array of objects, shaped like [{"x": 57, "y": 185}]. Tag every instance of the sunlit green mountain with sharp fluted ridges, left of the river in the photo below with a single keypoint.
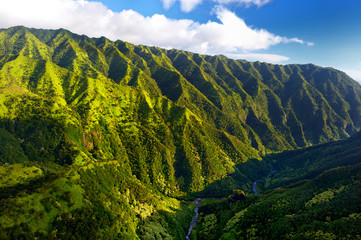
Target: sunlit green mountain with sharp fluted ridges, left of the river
[{"x": 100, "y": 137}]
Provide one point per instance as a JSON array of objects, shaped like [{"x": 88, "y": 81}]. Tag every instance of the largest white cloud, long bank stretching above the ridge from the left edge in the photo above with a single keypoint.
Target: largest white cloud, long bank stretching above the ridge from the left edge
[{"x": 231, "y": 35}]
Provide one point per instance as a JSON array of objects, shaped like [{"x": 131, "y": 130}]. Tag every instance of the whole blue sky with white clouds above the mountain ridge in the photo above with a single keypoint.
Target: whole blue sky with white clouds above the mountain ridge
[{"x": 323, "y": 32}]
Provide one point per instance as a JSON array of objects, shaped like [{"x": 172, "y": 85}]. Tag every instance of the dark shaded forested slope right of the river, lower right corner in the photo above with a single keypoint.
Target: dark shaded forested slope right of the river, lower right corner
[{"x": 314, "y": 193}]
